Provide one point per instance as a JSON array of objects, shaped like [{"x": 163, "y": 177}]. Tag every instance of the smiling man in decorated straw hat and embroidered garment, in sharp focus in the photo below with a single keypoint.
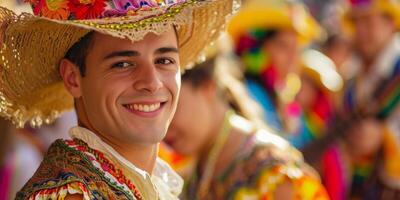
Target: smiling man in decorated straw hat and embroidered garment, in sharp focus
[{"x": 120, "y": 69}]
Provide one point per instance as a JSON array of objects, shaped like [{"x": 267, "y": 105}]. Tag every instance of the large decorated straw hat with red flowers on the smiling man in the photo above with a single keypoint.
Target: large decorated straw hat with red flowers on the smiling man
[{"x": 31, "y": 89}]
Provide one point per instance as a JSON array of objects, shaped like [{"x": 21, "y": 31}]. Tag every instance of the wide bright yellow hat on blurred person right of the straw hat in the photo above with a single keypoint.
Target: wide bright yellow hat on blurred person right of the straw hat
[{"x": 275, "y": 14}]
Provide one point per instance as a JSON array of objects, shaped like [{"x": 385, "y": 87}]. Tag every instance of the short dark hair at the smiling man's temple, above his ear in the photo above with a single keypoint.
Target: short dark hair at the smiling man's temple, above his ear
[{"x": 78, "y": 52}]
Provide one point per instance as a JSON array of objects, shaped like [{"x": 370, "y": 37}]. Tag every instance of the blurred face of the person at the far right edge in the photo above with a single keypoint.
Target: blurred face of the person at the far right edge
[{"x": 373, "y": 30}]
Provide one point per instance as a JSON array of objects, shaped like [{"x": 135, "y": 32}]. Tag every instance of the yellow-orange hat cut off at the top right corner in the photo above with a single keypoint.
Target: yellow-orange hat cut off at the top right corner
[{"x": 389, "y": 7}]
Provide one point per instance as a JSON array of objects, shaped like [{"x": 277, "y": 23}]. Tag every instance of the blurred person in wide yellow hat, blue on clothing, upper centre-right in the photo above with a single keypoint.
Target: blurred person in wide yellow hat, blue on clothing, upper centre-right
[{"x": 269, "y": 36}]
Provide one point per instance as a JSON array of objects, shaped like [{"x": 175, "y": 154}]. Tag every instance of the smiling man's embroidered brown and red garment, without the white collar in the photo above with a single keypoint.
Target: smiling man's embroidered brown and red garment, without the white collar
[{"x": 72, "y": 162}]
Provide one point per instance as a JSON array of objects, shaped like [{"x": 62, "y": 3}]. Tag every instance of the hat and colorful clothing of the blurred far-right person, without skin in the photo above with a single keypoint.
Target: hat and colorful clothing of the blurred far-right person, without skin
[{"x": 375, "y": 94}]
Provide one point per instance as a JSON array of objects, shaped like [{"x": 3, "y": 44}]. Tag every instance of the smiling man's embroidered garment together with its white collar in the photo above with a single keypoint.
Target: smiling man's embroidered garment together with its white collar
[{"x": 88, "y": 166}]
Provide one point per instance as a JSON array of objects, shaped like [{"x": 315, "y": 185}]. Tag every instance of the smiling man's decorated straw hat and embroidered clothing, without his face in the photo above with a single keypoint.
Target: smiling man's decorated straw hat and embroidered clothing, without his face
[{"x": 32, "y": 90}]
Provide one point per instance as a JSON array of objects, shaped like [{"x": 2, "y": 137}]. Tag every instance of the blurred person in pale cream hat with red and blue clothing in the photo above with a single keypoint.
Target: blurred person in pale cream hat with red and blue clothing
[{"x": 320, "y": 82}]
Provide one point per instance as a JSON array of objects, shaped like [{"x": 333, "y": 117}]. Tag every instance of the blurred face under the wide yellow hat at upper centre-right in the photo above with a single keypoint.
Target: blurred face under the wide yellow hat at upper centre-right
[{"x": 284, "y": 50}]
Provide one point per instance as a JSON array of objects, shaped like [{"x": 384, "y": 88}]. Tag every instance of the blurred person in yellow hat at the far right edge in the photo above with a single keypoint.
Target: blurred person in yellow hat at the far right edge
[{"x": 364, "y": 164}]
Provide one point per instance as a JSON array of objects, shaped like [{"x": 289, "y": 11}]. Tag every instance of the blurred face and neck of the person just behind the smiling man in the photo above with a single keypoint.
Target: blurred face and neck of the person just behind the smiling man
[{"x": 197, "y": 119}]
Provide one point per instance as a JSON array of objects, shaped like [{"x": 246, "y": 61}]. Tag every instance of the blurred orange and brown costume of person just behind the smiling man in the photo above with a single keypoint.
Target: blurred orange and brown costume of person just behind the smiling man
[{"x": 265, "y": 161}]
